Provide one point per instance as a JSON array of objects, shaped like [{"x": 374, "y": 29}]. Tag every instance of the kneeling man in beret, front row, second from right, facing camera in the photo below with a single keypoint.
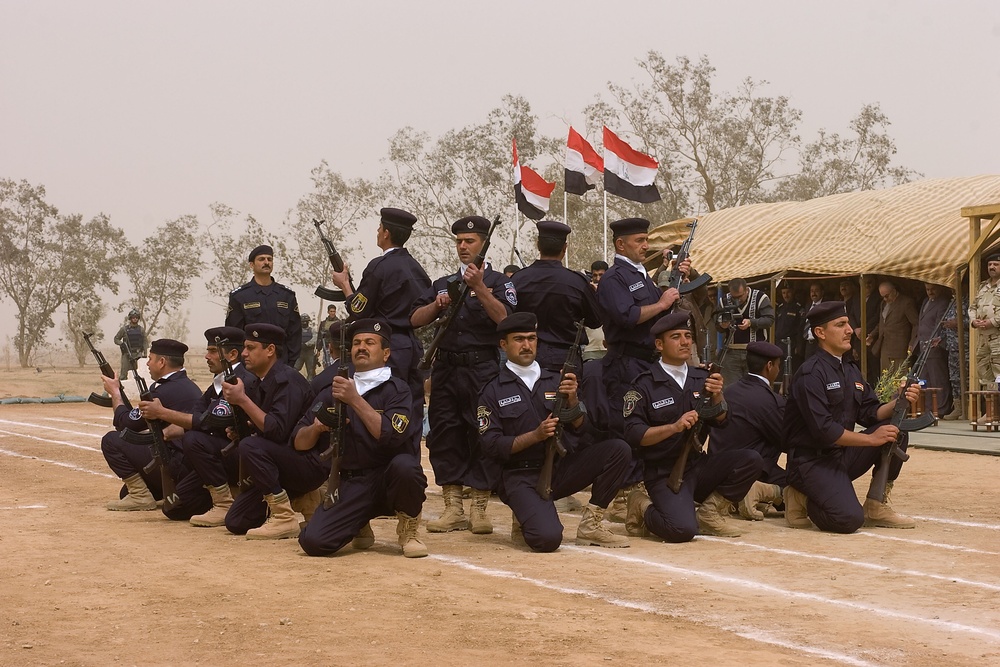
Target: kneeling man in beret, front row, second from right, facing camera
[{"x": 659, "y": 409}]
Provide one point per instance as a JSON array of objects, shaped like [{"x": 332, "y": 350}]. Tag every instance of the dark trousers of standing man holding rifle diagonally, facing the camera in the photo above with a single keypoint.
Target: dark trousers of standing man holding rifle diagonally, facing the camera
[{"x": 453, "y": 441}]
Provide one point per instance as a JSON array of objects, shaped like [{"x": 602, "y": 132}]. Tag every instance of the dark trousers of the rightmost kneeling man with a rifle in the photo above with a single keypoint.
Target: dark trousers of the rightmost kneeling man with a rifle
[{"x": 825, "y": 477}]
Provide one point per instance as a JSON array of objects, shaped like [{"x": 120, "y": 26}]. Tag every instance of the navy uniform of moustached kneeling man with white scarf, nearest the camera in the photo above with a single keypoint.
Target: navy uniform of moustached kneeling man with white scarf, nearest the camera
[{"x": 377, "y": 476}]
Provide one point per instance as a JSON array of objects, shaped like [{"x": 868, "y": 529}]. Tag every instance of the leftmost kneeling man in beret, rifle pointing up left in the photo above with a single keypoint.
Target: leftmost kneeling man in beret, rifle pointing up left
[{"x": 171, "y": 390}]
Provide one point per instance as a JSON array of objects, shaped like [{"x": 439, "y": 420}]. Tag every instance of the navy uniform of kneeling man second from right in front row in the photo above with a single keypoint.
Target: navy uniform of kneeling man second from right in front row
[{"x": 657, "y": 399}]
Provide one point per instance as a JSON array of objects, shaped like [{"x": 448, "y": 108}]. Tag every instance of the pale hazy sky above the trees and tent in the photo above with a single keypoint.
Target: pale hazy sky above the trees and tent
[{"x": 146, "y": 110}]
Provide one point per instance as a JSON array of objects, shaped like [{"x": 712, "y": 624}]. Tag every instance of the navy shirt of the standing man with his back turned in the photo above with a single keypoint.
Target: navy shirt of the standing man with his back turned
[{"x": 559, "y": 298}]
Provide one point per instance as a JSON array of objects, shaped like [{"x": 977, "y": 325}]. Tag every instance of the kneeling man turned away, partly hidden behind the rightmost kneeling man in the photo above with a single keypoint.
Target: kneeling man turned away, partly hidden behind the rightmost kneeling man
[{"x": 755, "y": 422}]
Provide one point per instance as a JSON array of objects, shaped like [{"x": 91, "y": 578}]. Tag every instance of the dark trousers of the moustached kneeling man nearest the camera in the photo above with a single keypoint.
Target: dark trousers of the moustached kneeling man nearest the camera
[{"x": 398, "y": 487}]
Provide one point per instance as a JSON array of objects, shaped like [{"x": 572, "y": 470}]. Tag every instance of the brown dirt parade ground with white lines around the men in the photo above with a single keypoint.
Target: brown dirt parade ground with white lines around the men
[{"x": 84, "y": 586}]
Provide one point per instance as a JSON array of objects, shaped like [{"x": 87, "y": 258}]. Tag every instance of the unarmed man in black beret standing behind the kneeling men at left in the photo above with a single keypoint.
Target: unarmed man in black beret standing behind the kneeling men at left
[{"x": 263, "y": 300}]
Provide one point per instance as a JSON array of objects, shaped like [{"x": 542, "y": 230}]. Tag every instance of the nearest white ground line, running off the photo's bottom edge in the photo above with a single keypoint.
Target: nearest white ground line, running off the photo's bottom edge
[{"x": 761, "y": 636}]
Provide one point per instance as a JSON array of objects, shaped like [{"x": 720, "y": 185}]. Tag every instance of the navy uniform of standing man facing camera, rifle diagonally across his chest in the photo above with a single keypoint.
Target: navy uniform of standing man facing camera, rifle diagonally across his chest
[{"x": 466, "y": 360}]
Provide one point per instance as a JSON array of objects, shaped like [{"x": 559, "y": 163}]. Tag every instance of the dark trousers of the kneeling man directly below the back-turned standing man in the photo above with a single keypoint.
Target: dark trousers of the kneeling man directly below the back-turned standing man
[{"x": 602, "y": 464}]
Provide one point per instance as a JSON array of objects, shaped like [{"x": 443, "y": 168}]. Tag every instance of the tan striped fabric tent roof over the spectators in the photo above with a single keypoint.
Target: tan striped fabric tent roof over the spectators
[{"x": 911, "y": 231}]
